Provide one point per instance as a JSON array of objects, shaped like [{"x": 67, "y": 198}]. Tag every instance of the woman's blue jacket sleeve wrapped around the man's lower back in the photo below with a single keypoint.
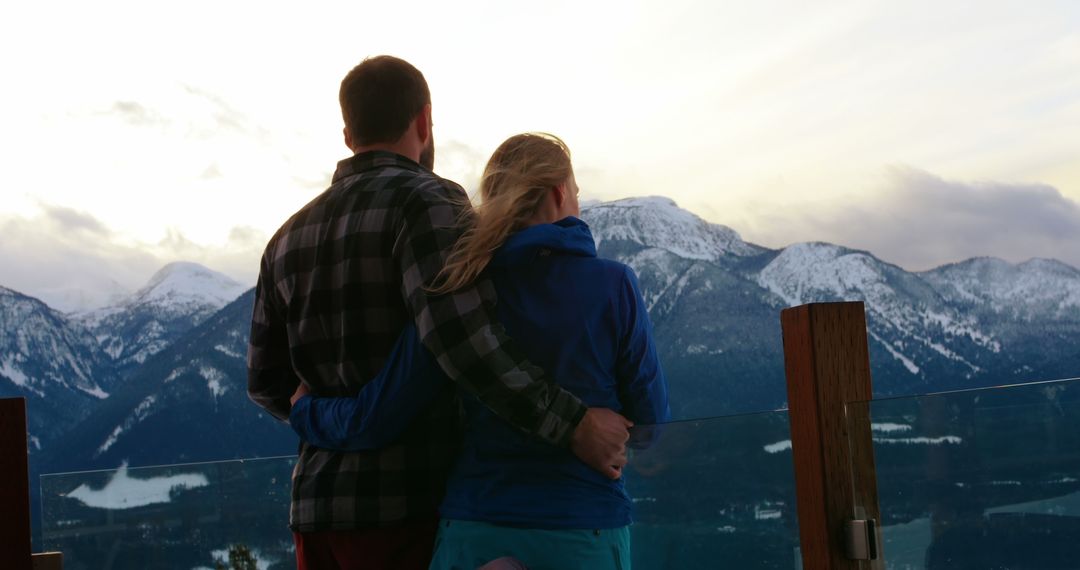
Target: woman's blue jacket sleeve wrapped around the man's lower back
[{"x": 408, "y": 384}]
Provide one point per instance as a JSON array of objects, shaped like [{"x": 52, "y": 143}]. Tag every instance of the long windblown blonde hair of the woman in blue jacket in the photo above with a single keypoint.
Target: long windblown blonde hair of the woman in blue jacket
[{"x": 518, "y": 178}]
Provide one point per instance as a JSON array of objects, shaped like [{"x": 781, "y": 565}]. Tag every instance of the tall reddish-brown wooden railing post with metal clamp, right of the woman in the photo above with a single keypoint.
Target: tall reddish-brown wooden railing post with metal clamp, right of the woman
[{"x": 828, "y": 365}]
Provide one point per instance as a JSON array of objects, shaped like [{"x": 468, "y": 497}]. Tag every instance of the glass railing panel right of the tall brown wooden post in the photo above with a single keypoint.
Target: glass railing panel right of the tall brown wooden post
[{"x": 980, "y": 479}]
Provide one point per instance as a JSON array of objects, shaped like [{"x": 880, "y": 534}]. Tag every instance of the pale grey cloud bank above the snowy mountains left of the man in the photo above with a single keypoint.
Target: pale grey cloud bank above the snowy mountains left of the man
[{"x": 74, "y": 262}]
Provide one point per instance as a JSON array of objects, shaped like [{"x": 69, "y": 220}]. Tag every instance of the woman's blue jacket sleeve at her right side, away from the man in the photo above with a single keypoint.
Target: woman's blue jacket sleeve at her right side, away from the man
[{"x": 643, "y": 388}]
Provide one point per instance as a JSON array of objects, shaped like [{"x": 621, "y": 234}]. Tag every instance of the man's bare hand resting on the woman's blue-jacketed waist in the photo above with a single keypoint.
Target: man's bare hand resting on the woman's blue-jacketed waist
[{"x": 601, "y": 441}]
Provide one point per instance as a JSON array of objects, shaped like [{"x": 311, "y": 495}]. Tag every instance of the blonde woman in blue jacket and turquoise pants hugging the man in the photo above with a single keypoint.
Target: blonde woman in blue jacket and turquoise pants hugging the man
[{"x": 577, "y": 316}]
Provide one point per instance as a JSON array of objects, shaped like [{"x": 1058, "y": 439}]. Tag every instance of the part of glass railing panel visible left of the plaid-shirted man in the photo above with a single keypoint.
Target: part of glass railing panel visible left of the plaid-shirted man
[{"x": 185, "y": 517}]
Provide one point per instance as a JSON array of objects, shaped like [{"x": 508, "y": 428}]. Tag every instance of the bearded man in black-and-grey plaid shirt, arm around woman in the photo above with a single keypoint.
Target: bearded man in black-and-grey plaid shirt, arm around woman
[{"x": 337, "y": 284}]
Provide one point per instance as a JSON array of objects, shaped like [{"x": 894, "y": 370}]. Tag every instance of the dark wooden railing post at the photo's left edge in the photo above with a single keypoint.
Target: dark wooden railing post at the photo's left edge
[{"x": 15, "y": 486}]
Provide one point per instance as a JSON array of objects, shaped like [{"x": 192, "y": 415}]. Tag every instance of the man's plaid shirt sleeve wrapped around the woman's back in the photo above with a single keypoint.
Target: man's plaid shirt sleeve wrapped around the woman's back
[{"x": 462, "y": 329}]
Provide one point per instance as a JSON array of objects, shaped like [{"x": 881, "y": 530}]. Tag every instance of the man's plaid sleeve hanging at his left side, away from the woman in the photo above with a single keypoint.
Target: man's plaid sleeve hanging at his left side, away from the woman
[{"x": 271, "y": 377}]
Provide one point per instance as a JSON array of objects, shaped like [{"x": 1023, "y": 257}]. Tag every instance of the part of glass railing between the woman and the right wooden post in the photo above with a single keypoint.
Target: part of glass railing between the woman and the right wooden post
[{"x": 717, "y": 493}]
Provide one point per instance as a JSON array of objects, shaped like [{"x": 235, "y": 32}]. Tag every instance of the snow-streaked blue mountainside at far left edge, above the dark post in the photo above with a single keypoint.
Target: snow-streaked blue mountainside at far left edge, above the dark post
[{"x": 52, "y": 362}]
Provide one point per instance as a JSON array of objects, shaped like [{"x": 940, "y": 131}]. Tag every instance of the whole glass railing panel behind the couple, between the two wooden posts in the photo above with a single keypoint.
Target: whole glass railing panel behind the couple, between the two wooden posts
[{"x": 704, "y": 492}]
